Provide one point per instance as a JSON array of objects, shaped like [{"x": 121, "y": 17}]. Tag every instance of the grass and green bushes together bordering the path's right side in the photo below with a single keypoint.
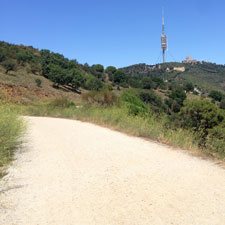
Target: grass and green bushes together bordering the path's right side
[{"x": 198, "y": 126}]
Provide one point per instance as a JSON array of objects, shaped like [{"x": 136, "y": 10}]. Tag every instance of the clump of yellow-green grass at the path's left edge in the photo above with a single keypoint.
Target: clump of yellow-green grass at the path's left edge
[{"x": 11, "y": 129}]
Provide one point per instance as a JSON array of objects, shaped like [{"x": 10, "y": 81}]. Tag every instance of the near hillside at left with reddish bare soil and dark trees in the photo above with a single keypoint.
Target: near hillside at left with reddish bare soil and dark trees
[{"x": 28, "y": 74}]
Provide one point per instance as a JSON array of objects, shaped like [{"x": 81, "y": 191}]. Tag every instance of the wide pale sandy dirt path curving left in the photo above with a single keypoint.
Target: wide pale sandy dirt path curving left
[{"x": 74, "y": 173}]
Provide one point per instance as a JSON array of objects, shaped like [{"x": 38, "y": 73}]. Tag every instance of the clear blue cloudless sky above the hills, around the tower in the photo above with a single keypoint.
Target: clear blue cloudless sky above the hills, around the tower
[{"x": 117, "y": 32}]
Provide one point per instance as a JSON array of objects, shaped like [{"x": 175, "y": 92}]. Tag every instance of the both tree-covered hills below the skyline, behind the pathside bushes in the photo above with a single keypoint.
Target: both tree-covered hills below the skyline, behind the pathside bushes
[{"x": 30, "y": 73}]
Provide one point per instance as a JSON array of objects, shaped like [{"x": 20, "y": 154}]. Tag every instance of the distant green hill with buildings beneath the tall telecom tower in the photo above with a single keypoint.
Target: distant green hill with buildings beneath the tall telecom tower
[{"x": 207, "y": 76}]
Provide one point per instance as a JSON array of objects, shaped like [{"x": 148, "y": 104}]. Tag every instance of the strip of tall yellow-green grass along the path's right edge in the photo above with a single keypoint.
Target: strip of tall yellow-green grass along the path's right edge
[{"x": 118, "y": 118}]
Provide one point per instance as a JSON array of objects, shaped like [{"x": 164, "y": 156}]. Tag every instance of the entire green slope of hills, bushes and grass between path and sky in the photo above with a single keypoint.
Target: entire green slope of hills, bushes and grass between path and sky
[{"x": 158, "y": 102}]
